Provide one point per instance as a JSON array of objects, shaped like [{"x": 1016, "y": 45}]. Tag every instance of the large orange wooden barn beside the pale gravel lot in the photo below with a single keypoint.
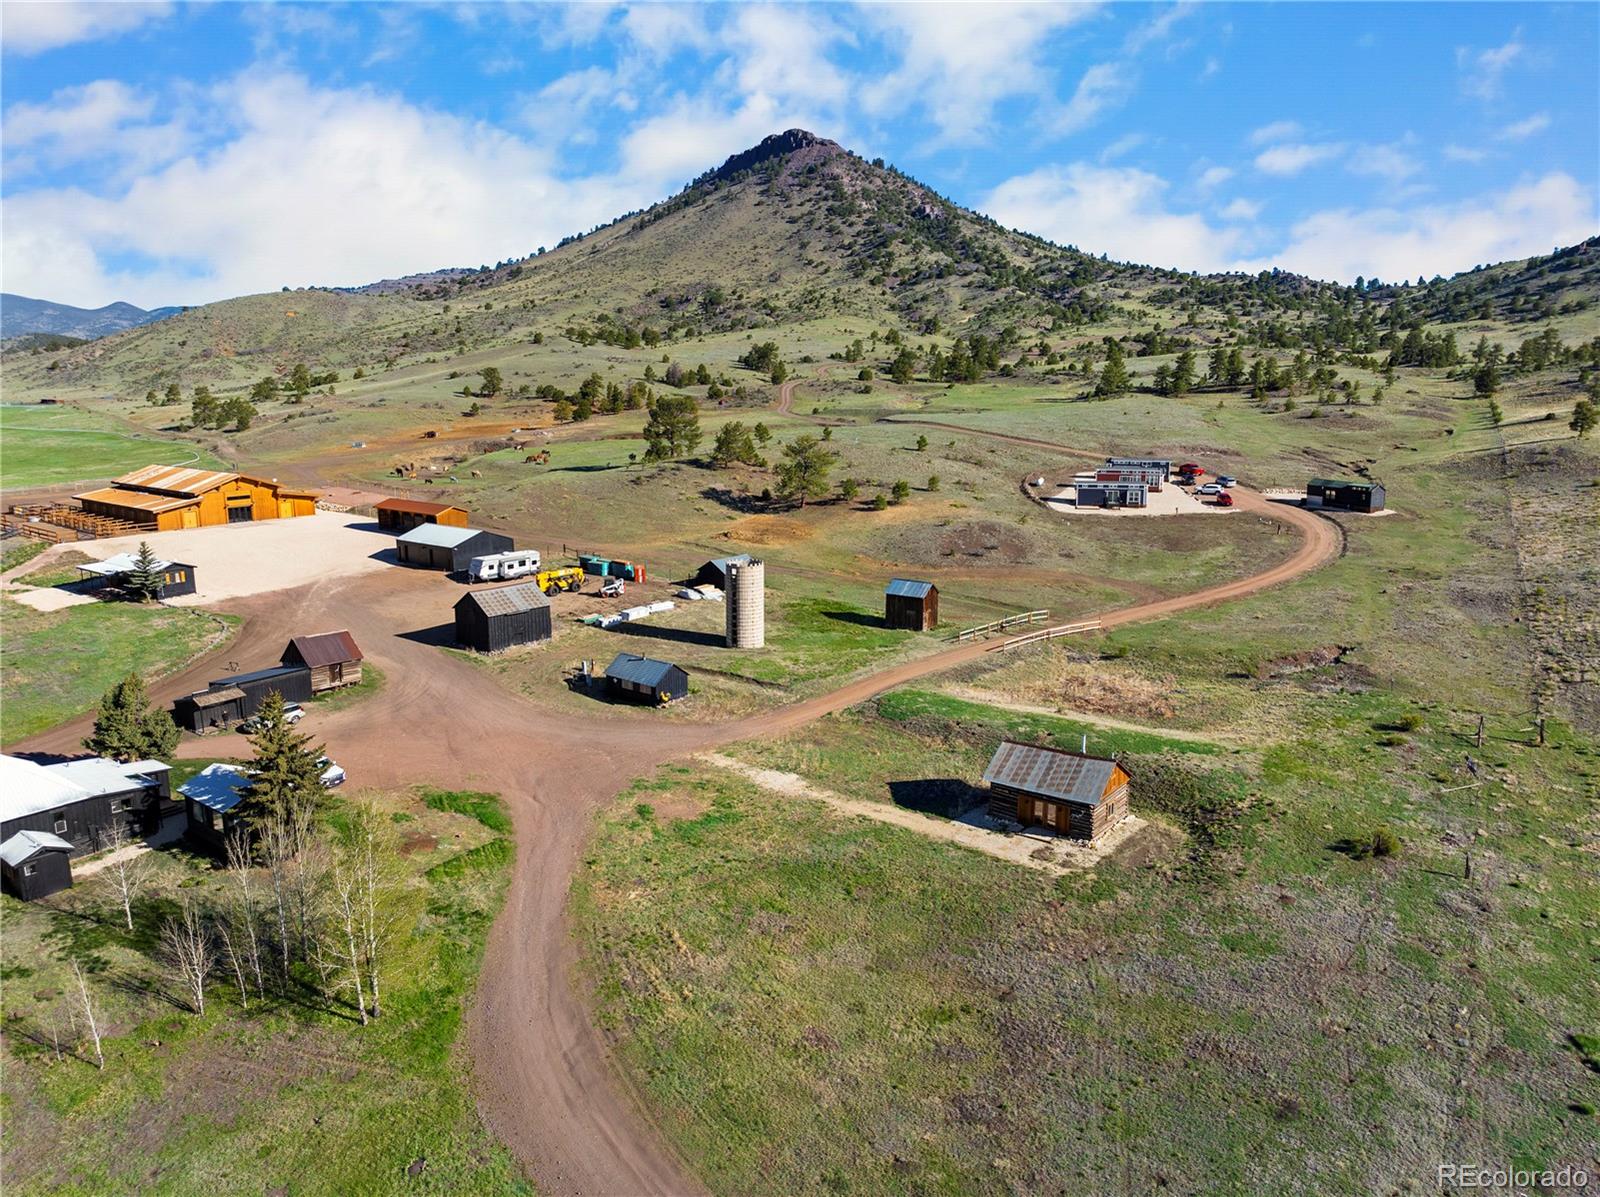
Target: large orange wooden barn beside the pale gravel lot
[{"x": 178, "y": 497}]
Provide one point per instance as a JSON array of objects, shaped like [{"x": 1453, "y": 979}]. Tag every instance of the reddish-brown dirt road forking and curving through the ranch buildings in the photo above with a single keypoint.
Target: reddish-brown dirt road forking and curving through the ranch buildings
[{"x": 545, "y": 1079}]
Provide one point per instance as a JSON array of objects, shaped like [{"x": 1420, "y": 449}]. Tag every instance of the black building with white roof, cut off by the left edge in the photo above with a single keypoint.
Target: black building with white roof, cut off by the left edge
[{"x": 81, "y": 801}]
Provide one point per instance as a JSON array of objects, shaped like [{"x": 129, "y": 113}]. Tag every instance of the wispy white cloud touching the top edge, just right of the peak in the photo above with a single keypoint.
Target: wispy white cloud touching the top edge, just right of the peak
[{"x": 962, "y": 60}]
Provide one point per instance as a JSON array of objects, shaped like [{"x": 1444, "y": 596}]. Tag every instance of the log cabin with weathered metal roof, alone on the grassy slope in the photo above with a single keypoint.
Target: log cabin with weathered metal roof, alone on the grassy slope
[{"x": 1068, "y": 793}]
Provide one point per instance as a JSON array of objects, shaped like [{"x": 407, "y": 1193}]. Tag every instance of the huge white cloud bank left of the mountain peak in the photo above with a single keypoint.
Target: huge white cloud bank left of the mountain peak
[{"x": 314, "y": 186}]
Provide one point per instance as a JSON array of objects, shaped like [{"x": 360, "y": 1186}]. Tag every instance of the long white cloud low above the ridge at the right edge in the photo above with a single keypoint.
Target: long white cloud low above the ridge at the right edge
[{"x": 1442, "y": 239}]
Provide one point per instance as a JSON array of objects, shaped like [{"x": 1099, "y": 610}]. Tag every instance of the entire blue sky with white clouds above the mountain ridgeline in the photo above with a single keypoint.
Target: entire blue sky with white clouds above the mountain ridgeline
[{"x": 190, "y": 153}]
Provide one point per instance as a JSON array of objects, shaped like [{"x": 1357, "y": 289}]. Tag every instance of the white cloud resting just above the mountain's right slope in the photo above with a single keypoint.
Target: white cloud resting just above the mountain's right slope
[{"x": 1113, "y": 210}]
